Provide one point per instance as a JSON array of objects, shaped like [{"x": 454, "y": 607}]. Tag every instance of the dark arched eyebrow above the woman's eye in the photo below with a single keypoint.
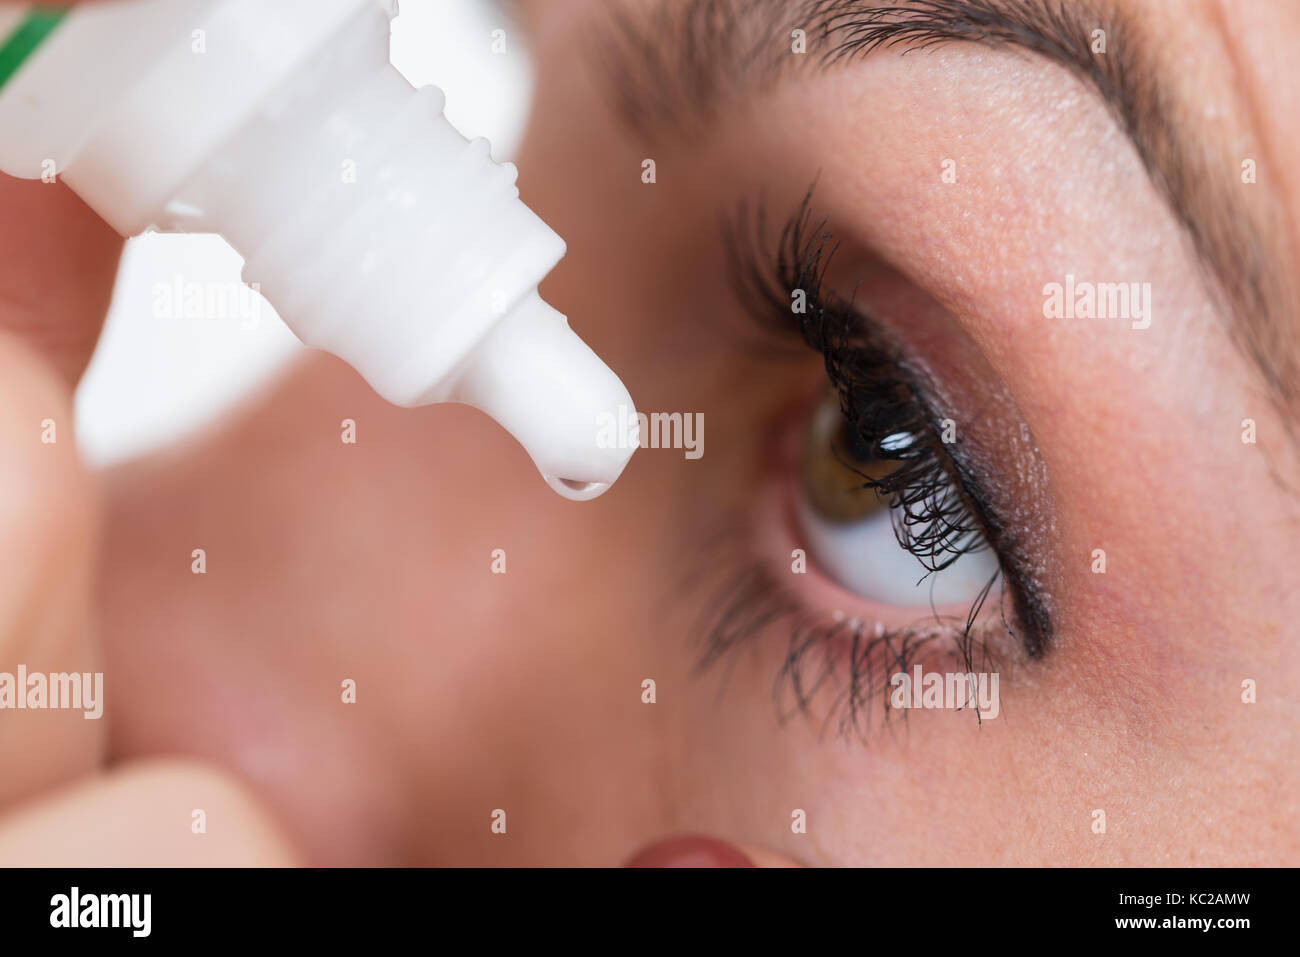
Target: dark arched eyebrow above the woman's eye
[{"x": 679, "y": 64}]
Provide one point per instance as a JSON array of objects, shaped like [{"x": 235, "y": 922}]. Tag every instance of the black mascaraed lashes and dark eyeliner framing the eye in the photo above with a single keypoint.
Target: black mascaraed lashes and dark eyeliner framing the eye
[{"x": 946, "y": 495}]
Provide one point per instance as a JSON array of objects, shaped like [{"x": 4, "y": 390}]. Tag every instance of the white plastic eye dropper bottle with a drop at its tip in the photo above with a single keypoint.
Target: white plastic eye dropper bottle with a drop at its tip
[{"x": 376, "y": 231}]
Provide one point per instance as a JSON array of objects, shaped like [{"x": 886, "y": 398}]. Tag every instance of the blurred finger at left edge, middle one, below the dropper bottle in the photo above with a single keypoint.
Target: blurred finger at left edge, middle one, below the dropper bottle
[{"x": 49, "y": 526}]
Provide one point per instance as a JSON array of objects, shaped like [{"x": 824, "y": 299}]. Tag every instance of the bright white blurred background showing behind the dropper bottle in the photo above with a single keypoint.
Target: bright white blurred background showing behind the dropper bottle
[{"x": 153, "y": 380}]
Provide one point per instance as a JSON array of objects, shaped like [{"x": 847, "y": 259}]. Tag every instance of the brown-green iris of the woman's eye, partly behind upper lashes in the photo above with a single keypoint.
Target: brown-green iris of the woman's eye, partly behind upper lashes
[{"x": 834, "y": 466}]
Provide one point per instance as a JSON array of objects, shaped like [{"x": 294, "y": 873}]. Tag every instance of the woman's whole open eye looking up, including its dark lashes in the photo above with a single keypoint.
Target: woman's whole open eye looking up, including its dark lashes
[{"x": 889, "y": 497}]
